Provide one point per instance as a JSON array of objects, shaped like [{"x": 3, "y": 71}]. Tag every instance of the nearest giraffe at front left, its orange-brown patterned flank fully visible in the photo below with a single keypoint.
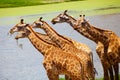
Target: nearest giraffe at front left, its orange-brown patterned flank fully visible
[{"x": 55, "y": 60}]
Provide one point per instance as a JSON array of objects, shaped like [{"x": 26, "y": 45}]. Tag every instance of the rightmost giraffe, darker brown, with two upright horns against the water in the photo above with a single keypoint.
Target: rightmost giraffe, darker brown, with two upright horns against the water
[{"x": 110, "y": 41}]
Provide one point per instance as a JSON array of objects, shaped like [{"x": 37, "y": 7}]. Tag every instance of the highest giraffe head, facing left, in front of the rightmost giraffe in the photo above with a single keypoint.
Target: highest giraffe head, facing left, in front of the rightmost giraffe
[{"x": 63, "y": 17}]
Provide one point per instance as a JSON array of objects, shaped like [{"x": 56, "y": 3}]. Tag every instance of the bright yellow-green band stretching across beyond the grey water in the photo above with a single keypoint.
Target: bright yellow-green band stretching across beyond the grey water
[{"x": 89, "y": 7}]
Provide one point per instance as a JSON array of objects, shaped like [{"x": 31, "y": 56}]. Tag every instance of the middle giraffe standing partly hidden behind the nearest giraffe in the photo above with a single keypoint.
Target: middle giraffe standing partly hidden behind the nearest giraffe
[{"x": 68, "y": 46}]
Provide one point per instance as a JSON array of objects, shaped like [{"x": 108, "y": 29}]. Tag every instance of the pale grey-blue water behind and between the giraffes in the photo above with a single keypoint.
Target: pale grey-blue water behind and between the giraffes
[{"x": 25, "y": 62}]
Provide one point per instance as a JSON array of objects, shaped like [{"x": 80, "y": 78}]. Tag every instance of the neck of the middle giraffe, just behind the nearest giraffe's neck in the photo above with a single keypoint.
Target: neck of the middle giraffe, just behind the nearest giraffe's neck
[{"x": 58, "y": 39}]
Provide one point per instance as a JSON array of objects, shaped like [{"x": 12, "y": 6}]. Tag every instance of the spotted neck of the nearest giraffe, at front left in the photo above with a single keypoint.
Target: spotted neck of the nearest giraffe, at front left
[{"x": 38, "y": 43}]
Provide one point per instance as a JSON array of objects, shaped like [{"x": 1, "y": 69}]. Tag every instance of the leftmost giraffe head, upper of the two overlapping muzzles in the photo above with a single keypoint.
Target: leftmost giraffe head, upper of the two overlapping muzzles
[{"x": 18, "y": 27}]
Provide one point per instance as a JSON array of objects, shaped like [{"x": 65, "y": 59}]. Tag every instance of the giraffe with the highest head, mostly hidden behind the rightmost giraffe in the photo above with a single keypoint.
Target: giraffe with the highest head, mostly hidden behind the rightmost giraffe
[{"x": 64, "y": 17}]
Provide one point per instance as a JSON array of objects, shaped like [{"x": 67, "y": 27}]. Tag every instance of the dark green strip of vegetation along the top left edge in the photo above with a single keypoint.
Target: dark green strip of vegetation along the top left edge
[{"x": 18, "y": 3}]
